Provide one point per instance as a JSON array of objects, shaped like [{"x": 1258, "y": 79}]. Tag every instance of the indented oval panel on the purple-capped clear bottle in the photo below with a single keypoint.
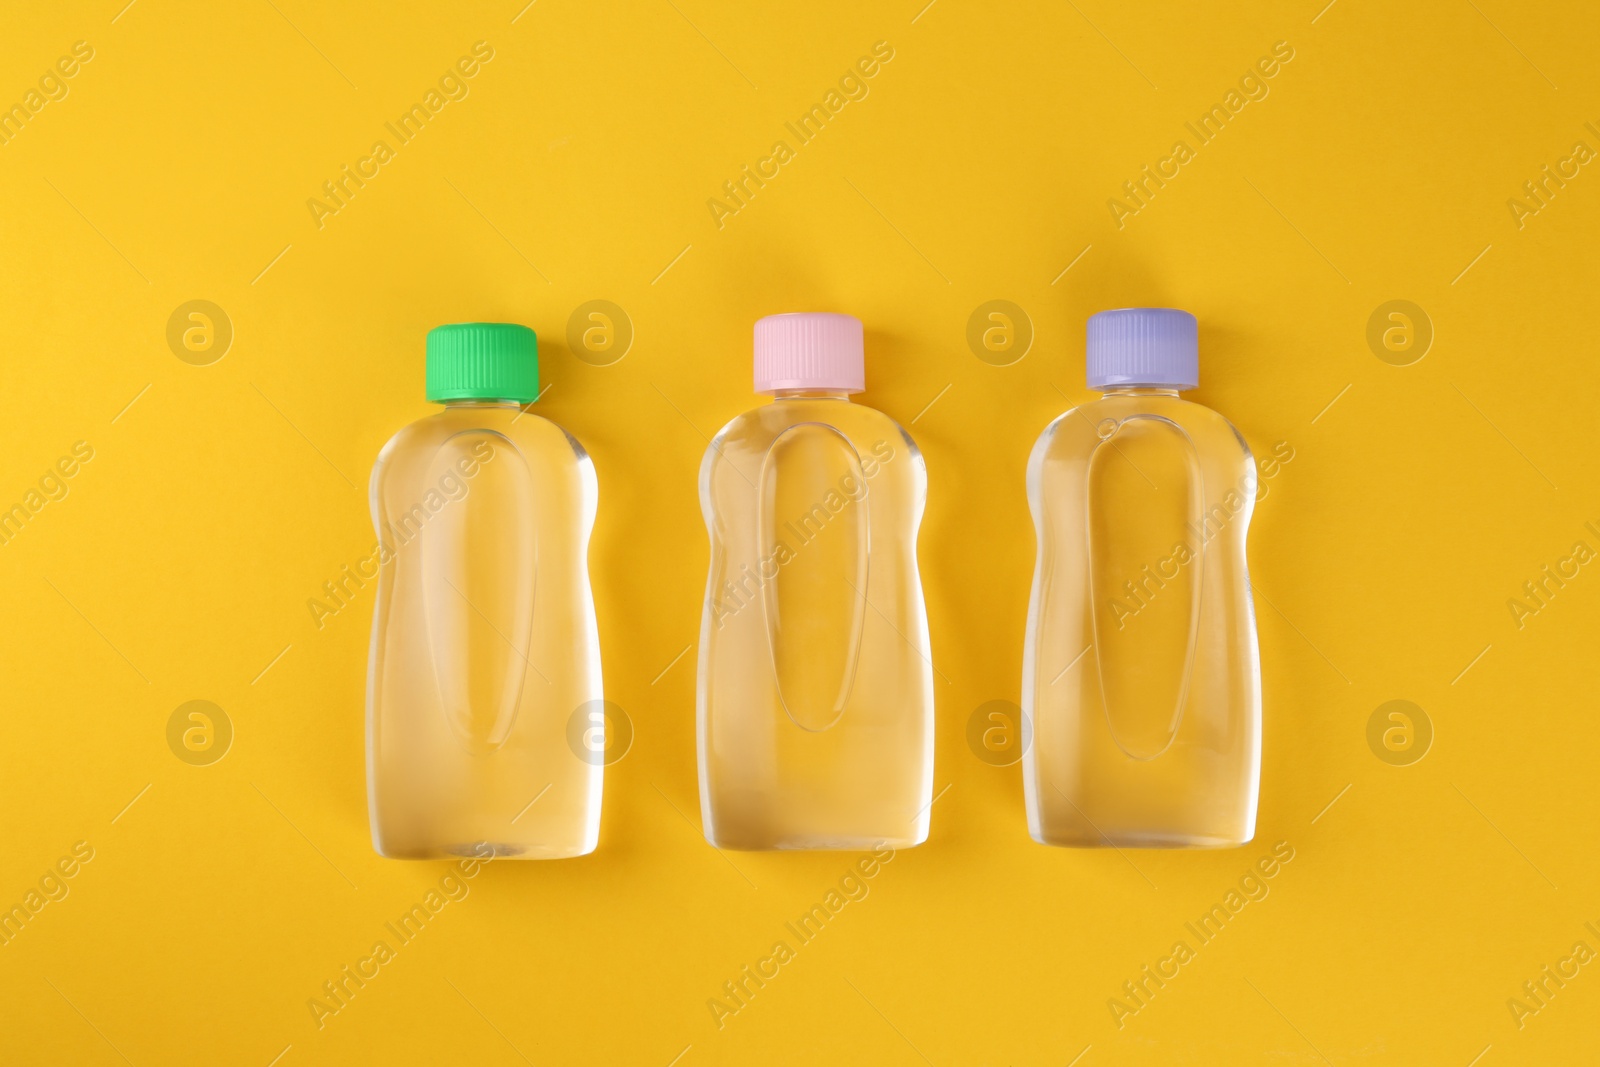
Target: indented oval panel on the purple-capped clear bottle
[{"x": 1146, "y": 546}]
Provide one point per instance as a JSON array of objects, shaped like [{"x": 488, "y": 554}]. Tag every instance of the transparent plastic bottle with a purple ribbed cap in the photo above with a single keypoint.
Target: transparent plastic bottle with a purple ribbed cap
[{"x": 1142, "y": 677}]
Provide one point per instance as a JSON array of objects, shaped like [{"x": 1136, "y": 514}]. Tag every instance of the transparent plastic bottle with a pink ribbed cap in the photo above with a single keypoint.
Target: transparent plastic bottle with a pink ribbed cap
[{"x": 815, "y": 713}]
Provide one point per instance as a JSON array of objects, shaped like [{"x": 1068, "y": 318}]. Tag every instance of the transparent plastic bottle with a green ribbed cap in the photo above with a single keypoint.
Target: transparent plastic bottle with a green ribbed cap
[{"x": 484, "y": 636}]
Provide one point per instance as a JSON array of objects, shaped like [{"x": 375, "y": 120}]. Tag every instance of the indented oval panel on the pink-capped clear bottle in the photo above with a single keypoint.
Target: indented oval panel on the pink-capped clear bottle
[{"x": 815, "y": 540}]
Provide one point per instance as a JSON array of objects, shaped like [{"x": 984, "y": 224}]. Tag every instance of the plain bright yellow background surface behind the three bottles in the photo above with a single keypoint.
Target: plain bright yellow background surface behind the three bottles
[{"x": 978, "y": 169}]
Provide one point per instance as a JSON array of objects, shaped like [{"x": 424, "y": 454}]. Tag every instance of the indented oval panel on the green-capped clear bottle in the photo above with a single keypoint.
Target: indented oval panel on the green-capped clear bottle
[{"x": 479, "y": 545}]
